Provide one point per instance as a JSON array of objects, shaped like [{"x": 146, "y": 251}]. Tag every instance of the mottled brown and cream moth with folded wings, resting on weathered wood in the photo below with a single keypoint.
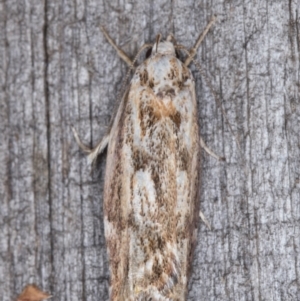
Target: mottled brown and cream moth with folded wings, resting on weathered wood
[{"x": 151, "y": 206}]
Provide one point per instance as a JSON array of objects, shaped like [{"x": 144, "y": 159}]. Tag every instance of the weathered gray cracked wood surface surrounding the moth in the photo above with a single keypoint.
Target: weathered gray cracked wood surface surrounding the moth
[{"x": 57, "y": 70}]
